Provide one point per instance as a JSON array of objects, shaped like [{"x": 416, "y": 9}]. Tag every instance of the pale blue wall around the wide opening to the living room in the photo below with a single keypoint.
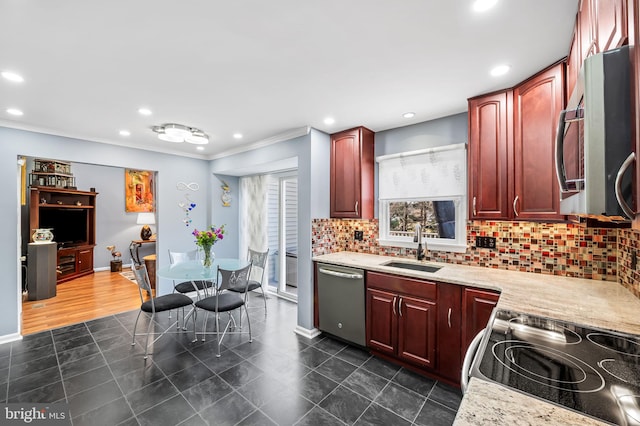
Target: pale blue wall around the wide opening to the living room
[{"x": 170, "y": 228}]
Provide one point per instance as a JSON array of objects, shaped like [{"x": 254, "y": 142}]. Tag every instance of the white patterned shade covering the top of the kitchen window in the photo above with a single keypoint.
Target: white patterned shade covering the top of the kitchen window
[{"x": 428, "y": 173}]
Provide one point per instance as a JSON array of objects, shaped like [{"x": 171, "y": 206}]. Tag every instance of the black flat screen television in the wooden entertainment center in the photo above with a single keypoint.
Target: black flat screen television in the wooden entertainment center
[{"x": 69, "y": 226}]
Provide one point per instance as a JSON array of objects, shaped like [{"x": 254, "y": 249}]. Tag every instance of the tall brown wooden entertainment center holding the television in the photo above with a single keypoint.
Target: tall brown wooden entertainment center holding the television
[{"x": 75, "y": 258}]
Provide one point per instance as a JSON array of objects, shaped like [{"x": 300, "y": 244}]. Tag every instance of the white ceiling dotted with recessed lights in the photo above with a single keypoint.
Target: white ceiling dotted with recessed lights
[{"x": 261, "y": 68}]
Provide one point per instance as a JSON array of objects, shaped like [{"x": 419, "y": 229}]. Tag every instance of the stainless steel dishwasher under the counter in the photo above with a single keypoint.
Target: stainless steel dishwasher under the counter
[{"x": 341, "y": 302}]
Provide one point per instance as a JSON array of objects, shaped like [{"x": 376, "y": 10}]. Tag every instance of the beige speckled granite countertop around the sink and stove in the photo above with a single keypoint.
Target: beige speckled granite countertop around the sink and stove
[{"x": 601, "y": 304}]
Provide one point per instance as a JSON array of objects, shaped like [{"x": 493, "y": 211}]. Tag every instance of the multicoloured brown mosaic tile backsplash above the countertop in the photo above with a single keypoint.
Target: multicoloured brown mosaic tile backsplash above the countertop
[{"x": 566, "y": 249}]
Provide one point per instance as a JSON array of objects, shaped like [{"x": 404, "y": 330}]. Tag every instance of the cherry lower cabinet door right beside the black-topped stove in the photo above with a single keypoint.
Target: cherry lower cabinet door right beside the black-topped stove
[{"x": 476, "y": 309}]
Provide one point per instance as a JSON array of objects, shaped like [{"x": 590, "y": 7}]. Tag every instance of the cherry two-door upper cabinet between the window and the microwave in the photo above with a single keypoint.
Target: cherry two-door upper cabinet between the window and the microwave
[{"x": 511, "y": 150}]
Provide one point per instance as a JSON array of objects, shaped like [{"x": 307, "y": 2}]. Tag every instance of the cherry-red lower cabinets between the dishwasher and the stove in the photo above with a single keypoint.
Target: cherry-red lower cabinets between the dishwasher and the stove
[{"x": 424, "y": 324}]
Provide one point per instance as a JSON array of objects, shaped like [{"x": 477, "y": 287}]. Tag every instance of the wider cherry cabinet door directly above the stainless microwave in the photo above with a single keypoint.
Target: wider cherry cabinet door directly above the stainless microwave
[{"x": 610, "y": 23}]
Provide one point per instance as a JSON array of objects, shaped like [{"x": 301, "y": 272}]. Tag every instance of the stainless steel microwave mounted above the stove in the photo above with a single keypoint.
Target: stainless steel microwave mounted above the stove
[{"x": 593, "y": 142}]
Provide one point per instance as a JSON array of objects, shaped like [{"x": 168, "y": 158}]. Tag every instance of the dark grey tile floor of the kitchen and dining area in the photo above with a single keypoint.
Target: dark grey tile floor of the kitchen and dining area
[{"x": 279, "y": 379}]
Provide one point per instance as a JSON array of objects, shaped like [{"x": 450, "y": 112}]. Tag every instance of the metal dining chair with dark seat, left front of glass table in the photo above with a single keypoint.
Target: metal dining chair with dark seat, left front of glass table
[{"x": 154, "y": 305}]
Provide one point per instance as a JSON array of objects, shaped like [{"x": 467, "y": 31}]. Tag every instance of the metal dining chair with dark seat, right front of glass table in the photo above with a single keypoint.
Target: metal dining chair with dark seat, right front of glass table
[{"x": 225, "y": 301}]
